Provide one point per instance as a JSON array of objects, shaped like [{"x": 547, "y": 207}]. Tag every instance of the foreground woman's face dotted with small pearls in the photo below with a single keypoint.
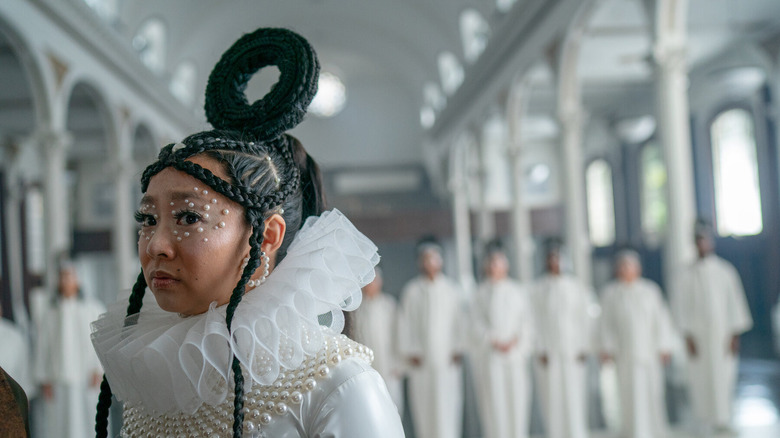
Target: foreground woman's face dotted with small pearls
[{"x": 192, "y": 240}]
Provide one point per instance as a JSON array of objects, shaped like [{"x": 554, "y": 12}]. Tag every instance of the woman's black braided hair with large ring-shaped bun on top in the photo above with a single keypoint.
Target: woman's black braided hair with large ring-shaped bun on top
[{"x": 269, "y": 171}]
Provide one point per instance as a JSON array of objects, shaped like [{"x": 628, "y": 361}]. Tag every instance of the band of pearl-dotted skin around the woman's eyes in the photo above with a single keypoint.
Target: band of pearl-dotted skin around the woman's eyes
[{"x": 190, "y": 217}]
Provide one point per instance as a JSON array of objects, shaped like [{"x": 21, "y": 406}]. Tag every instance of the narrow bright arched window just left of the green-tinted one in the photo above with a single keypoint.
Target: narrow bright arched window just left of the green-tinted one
[{"x": 601, "y": 203}]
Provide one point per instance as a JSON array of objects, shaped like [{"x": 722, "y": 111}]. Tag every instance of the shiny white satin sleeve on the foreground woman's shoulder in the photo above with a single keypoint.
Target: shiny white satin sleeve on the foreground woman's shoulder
[{"x": 358, "y": 407}]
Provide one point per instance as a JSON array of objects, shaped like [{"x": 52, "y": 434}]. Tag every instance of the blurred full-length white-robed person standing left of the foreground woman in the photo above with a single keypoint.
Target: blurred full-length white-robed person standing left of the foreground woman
[{"x": 66, "y": 365}]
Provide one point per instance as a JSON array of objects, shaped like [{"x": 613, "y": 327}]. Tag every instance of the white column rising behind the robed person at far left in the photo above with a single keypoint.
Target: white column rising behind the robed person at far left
[{"x": 57, "y": 228}]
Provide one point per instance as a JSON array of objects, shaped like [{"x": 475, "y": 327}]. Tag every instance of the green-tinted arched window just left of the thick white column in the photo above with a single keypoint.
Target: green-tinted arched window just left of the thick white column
[{"x": 652, "y": 198}]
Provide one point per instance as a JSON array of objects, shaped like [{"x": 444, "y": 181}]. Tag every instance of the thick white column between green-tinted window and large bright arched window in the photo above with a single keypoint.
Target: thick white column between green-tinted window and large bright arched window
[{"x": 674, "y": 128}]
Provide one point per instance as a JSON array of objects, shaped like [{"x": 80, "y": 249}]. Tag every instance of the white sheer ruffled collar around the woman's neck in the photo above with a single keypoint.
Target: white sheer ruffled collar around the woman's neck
[{"x": 168, "y": 363}]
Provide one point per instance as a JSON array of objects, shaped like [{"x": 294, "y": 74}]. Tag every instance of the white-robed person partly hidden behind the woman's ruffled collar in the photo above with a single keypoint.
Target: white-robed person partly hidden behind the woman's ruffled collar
[{"x": 376, "y": 326}]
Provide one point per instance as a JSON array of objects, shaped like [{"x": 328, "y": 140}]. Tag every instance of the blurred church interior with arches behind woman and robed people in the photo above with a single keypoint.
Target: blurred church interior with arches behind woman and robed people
[{"x": 606, "y": 123}]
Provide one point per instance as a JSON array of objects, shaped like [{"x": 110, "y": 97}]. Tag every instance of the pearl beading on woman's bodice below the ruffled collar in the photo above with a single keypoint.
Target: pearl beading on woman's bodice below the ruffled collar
[{"x": 262, "y": 404}]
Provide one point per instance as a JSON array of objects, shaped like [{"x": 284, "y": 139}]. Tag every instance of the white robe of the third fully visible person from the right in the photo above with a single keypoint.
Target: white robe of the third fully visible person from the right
[{"x": 564, "y": 330}]
